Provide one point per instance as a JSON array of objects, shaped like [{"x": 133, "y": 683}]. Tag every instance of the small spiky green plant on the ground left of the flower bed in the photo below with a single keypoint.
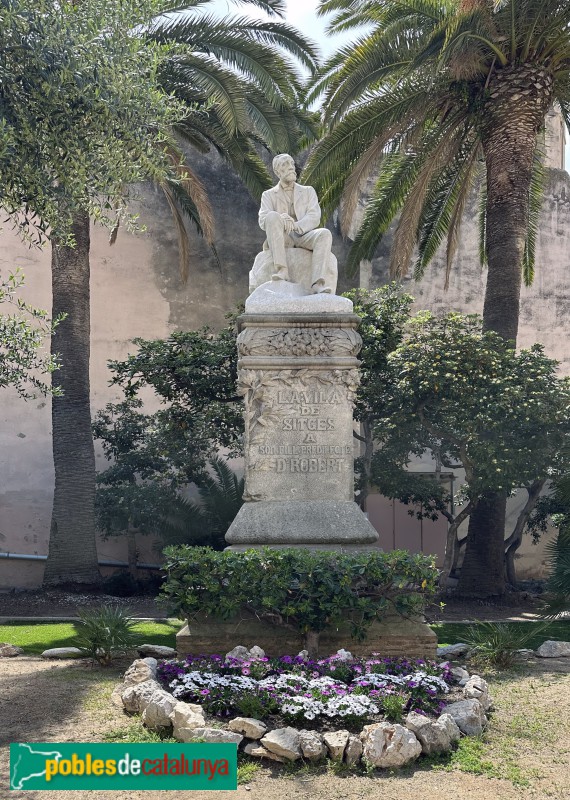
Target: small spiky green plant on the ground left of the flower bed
[{"x": 104, "y": 632}]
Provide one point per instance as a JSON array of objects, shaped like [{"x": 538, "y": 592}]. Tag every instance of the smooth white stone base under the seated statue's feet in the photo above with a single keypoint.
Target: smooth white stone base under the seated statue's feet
[{"x": 284, "y": 297}]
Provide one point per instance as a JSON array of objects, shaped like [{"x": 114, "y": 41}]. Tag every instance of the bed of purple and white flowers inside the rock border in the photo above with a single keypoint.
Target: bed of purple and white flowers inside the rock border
[{"x": 308, "y": 690}]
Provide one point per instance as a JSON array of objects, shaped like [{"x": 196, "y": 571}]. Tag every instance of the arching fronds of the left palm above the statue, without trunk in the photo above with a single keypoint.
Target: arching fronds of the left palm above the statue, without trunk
[{"x": 238, "y": 80}]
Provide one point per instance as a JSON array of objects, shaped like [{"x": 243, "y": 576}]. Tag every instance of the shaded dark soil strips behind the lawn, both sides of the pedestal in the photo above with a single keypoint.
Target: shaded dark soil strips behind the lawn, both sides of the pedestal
[{"x": 38, "y": 603}]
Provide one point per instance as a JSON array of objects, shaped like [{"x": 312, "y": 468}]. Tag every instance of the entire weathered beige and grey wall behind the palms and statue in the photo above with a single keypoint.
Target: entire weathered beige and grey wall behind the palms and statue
[{"x": 136, "y": 291}]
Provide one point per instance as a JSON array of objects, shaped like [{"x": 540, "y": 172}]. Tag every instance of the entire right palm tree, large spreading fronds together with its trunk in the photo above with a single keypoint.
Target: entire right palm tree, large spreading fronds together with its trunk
[{"x": 441, "y": 96}]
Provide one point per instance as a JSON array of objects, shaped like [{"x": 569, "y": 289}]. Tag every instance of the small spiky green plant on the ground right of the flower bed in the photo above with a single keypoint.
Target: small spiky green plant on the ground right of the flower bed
[{"x": 495, "y": 644}]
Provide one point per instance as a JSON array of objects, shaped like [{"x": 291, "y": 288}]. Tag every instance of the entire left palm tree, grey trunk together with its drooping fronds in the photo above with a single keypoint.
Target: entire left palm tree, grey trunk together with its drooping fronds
[{"x": 239, "y": 83}]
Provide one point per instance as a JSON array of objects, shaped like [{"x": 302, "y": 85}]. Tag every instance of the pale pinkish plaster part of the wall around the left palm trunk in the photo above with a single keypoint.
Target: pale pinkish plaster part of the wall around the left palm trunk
[{"x": 125, "y": 303}]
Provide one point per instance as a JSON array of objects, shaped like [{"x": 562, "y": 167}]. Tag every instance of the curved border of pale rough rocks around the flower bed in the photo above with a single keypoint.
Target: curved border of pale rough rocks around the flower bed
[{"x": 382, "y": 745}]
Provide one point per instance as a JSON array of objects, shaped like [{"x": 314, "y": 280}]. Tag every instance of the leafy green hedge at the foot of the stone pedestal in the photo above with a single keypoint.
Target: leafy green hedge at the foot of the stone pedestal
[{"x": 304, "y": 590}]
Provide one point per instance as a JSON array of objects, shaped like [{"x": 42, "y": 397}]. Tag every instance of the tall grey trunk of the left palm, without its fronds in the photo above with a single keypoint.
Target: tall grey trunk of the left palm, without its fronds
[{"x": 72, "y": 556}]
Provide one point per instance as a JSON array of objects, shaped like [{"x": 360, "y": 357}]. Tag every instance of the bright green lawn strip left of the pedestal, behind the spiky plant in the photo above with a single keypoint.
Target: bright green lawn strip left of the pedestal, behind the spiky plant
[{"x": 39, "y": 636}]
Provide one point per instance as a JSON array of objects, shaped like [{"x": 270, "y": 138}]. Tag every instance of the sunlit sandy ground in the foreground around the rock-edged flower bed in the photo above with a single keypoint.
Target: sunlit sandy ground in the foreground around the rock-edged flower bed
[{"x": 527, "y": 746}]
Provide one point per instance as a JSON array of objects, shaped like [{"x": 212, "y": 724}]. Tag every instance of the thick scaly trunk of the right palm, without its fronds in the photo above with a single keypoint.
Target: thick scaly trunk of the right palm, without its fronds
[{"x": 516, "y": 105}]
